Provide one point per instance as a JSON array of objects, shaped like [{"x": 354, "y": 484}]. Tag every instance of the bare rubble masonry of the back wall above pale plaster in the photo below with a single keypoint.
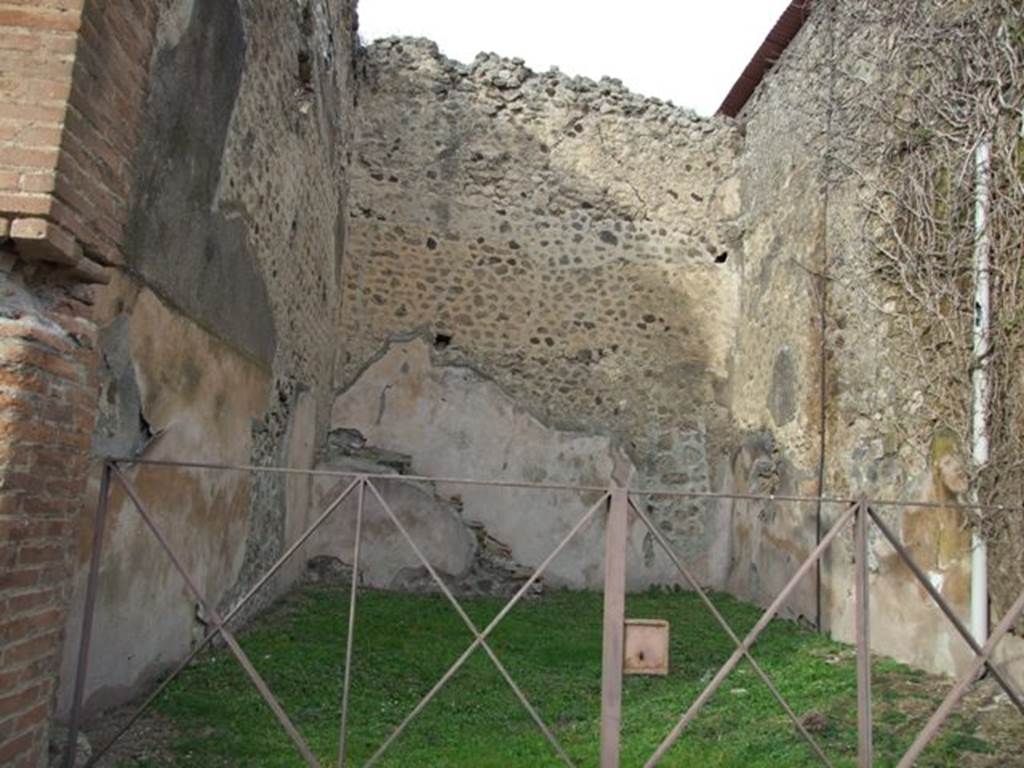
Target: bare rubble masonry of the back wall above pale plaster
[{"x": 568, "y": 241}]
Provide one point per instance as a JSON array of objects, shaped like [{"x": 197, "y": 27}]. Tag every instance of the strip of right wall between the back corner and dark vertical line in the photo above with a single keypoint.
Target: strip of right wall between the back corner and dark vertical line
[{"x": 777, "y": 358}]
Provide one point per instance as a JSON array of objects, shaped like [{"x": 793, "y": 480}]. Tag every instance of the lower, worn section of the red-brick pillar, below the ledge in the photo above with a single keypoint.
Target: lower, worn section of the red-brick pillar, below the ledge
[{"x": 49, "y": 391}]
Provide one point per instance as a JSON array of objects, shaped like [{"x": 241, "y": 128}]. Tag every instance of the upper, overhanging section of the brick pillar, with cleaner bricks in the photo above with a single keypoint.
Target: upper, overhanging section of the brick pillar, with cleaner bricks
[{"x": 73, "y": 86}]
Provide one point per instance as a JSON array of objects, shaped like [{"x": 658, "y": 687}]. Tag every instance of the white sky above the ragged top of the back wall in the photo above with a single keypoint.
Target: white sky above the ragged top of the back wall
[{"x": 689, "y": 52}]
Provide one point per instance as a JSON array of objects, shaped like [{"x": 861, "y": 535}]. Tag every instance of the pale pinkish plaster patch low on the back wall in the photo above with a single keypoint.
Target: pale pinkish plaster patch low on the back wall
[{"x": 454, "y": 423}]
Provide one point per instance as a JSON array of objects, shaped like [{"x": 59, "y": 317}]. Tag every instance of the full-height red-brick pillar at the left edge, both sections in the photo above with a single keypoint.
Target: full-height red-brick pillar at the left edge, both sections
[{"x": 72, "y": 89}]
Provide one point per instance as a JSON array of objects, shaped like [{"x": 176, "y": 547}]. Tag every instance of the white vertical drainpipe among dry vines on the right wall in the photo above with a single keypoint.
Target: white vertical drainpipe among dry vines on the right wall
[{"x": 979, "y": 378}]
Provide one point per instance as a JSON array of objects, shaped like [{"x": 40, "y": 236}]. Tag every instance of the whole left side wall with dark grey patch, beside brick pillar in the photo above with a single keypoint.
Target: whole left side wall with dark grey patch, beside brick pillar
[{"x": 218, "y": 336}]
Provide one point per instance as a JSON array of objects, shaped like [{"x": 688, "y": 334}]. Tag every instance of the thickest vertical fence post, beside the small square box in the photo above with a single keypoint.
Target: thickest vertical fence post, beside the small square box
[{"x": 615, "y": 627}]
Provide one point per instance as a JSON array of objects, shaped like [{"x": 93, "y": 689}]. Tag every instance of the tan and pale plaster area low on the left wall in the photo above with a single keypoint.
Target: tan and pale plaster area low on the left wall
[{"x": 199, "y": 398}]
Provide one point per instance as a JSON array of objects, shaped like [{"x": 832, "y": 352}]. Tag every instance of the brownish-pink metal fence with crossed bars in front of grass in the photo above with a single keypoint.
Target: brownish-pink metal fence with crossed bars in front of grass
[{"x": 617, "y": 503}]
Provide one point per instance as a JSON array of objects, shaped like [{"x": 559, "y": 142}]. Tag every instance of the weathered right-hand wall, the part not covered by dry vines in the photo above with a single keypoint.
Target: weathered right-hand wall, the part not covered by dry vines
[{"x": 803, "y": 218}]
